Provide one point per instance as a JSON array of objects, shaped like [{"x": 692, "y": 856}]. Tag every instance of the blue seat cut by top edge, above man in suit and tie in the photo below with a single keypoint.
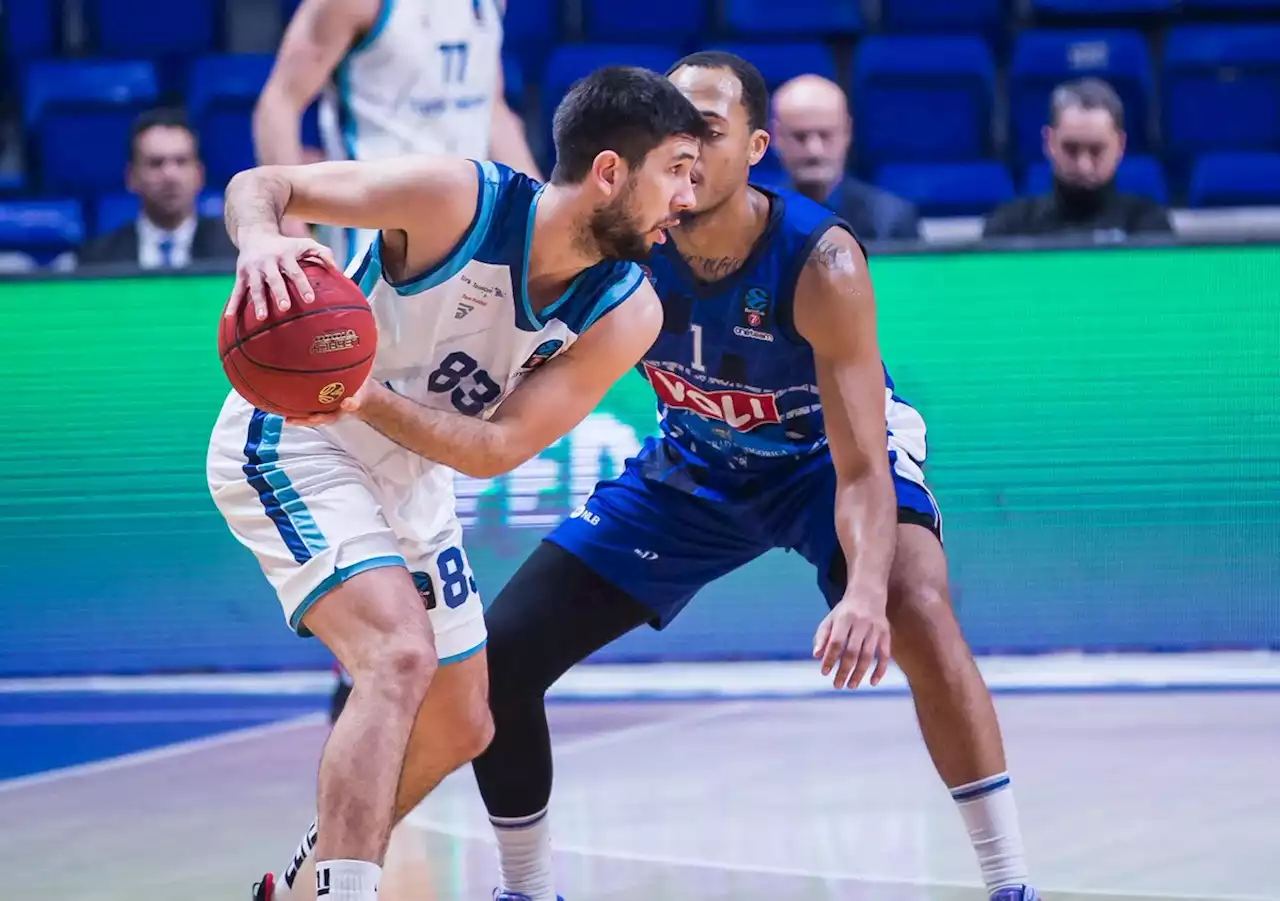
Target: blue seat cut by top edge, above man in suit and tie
[{"x": 150, "y": 29}]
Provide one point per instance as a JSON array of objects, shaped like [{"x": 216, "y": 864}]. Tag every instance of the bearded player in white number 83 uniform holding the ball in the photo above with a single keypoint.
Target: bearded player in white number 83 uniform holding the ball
[{"x": 488, "y": 290}]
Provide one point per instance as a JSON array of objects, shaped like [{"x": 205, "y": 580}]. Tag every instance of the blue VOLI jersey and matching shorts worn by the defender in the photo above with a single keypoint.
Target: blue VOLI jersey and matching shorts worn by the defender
[{"x": 743, "y": 464}]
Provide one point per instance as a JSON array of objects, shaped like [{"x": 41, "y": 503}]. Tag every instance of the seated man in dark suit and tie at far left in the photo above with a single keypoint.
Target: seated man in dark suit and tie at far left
[{"x": 167, "y": 176}]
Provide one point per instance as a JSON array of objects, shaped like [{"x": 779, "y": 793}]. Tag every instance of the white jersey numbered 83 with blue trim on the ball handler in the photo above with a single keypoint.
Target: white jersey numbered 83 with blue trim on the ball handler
[{"x": 463, "y": 336}]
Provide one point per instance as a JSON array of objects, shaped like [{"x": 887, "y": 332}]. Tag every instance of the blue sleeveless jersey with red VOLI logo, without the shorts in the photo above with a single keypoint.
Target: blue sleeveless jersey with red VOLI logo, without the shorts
[{"x": 737, "y": 386}]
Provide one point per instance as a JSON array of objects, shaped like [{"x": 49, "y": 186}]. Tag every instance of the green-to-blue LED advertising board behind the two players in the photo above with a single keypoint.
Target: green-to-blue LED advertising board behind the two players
[{"x": 1104, "y": 432}]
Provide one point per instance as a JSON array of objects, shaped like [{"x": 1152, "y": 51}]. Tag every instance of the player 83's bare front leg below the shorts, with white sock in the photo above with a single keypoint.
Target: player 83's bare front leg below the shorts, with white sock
[{"x": 378, "y": 628}]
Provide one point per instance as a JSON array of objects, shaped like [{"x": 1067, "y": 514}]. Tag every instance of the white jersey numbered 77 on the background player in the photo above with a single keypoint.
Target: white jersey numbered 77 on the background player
[{"x": 423, "y": 81}]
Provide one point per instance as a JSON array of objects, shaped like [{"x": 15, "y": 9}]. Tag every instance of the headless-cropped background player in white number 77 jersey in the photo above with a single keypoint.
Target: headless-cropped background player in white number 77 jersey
[{"x": 397, "y": 77}]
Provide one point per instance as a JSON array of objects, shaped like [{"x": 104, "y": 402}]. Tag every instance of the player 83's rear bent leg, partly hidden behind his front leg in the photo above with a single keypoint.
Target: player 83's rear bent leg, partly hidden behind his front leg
[{"x": 452, "y": 728}]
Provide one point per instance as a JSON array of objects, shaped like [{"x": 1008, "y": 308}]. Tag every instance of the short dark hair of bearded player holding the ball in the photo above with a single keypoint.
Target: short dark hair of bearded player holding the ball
[{"x": 624, "y": 109}]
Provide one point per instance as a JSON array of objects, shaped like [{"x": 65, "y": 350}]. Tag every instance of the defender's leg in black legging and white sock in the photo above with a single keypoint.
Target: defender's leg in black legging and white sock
[{"x": 554, "y": 614}]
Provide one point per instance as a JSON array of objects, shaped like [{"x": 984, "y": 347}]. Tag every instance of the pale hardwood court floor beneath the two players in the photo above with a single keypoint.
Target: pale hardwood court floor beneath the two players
[{"x": 1154, "y": 795}]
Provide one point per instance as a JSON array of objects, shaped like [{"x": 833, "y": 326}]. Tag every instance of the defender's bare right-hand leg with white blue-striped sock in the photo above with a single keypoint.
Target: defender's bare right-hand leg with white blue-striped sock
[{"x": 953, "y": 705}]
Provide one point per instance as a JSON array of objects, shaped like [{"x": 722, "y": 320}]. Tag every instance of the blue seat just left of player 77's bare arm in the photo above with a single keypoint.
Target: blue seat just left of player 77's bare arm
[{"x": 221, "y": 102}]
